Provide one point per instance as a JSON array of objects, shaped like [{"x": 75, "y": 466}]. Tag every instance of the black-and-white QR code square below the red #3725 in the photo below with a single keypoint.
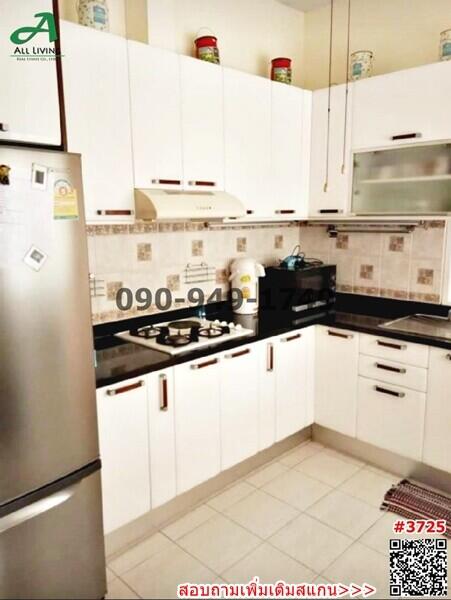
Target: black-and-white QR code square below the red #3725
[{"x": 418, "y": 567}]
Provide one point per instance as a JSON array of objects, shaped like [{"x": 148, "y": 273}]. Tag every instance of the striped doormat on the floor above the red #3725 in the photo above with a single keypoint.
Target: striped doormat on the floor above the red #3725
[{"x": 412, "y": 501}]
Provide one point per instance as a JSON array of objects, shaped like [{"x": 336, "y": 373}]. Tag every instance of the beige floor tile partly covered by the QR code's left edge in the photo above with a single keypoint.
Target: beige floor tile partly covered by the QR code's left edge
[{"x": 360, "y": 564}]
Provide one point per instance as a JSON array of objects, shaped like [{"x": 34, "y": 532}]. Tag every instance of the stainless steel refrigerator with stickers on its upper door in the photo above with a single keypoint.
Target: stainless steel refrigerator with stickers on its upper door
[{"x": 51, "y": 532}]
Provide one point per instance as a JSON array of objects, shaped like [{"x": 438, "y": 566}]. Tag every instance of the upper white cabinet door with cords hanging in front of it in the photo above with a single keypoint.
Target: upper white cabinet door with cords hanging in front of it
[{"x": 326, "y": 163}]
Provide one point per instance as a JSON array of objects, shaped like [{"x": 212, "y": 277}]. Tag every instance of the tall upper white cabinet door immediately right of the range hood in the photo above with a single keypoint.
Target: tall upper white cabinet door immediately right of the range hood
[{"x": 247, "y": 132}]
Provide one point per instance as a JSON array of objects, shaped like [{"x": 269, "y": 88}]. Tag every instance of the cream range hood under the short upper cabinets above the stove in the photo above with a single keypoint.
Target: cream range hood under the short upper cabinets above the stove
[{"x": 169, "y": 205}]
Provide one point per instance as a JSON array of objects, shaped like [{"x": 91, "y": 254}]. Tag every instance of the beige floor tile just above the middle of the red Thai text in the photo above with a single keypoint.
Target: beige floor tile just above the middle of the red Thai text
[{"x": 270, "y": 565}]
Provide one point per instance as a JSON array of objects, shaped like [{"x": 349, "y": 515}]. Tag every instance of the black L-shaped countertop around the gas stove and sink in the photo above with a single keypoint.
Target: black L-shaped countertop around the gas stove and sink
[{"x": 118, "y": 360}]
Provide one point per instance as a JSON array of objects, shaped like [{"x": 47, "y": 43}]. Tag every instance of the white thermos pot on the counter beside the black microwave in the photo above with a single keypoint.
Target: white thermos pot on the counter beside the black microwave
[{"x": 244, "y": 274}]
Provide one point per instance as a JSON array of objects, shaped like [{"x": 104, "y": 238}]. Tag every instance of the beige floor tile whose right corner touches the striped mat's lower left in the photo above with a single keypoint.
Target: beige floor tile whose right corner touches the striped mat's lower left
[{"x": 345, "y": 513}]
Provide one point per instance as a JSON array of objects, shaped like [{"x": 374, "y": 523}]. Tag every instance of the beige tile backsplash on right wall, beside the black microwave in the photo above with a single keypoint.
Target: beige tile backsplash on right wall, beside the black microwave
[{"x": 391, "y": 265}]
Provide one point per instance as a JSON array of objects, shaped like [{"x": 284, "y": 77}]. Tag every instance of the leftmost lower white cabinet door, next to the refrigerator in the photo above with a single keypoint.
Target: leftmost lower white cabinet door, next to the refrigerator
[{"x": 123, "y": 436}]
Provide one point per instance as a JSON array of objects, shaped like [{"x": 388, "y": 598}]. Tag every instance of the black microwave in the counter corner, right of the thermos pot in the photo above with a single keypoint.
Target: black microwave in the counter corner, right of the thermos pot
[{"x": 298, "y": 290}]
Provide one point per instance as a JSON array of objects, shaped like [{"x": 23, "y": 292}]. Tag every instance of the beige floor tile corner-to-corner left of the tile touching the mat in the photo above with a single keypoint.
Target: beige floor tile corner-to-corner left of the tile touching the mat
[{"x": 261, "y": 513}]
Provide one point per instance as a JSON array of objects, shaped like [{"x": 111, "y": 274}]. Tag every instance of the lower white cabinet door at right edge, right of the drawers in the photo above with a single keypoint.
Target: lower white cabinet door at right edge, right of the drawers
[{"x": 437, "y": 438}]
